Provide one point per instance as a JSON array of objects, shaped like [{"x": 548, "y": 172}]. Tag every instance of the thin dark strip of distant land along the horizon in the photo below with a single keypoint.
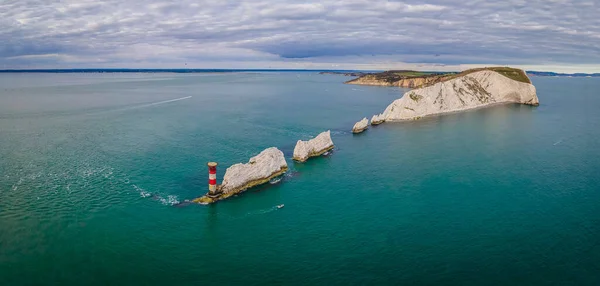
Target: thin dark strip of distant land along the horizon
[{"x": 326, "y": 71}]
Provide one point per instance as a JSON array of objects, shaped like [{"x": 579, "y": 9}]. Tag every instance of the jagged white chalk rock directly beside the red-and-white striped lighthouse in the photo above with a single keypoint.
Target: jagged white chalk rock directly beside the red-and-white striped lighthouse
[{"x": 261, "y": 168}]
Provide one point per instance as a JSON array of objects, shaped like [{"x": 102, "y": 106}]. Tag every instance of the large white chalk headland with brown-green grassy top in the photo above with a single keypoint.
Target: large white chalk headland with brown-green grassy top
[{"x": 467, "y": 90}]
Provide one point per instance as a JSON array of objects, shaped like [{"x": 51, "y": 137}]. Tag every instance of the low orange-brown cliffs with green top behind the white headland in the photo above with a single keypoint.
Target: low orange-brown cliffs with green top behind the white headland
[{"x": 407, "y": 79}]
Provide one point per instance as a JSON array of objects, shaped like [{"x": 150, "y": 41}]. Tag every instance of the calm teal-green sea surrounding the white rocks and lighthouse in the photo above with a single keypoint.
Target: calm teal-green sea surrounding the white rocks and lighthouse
[{"x": 95, "y": 170}]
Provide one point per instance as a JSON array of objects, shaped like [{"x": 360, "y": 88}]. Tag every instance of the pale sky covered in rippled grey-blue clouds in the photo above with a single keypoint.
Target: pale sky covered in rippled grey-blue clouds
[{"x": 547, "y": 35}]
